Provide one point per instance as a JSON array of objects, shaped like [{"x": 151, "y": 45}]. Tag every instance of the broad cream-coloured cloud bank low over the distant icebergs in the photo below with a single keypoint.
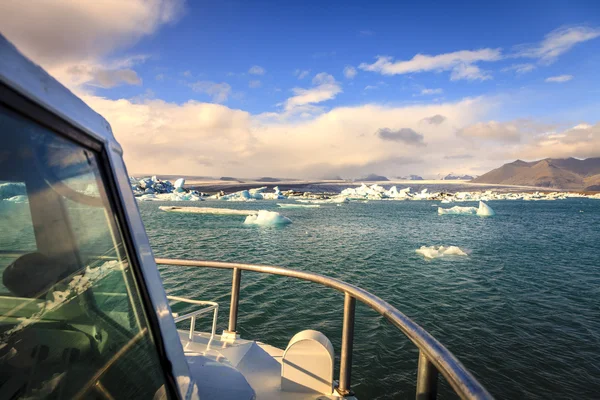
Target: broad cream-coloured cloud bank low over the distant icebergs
[{"x": 168, "y": 138}]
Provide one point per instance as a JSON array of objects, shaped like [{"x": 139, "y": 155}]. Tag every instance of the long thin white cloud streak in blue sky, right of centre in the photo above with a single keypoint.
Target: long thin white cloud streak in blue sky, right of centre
[{"x": 459, "y": 62}]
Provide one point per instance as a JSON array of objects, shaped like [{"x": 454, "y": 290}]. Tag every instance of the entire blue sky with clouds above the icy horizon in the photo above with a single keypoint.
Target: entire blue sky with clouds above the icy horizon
[{"x": 318, "y": 89}]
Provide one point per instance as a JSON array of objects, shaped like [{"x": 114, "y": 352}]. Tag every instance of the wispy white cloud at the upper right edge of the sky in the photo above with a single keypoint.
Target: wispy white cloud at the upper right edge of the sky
[{"x": 557, "y": 42}]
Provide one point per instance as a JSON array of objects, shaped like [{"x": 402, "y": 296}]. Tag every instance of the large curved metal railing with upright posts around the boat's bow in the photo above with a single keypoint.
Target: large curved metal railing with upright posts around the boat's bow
[{"x": 433, "y": 356}]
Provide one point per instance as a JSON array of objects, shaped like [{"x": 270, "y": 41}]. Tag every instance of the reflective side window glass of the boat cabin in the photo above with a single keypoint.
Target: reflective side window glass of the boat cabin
[{"x": 71, "y": 319}]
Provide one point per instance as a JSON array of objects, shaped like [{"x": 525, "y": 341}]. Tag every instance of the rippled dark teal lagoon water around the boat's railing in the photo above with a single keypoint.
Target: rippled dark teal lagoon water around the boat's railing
[{"x": 522, "y": 311}]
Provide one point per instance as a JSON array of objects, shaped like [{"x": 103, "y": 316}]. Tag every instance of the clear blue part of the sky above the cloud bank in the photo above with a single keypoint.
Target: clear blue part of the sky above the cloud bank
[{"x": 214, "y": 40}]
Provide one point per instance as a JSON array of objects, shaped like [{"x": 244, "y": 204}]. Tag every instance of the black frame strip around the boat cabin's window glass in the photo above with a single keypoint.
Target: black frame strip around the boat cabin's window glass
[{"x": 17, "y": 103}]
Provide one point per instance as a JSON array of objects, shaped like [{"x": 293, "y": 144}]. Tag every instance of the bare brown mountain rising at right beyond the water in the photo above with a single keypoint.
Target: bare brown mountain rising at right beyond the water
[{"x": 560, "y": 173}]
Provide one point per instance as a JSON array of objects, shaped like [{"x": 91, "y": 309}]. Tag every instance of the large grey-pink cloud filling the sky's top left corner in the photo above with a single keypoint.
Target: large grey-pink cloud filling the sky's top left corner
[{"x": 71, "y": 31}]
